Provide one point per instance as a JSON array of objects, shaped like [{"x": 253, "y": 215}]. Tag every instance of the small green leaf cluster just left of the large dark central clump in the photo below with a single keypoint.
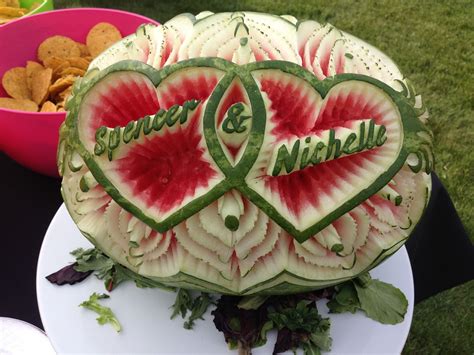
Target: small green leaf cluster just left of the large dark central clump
[{"x": 196, "y": 305}]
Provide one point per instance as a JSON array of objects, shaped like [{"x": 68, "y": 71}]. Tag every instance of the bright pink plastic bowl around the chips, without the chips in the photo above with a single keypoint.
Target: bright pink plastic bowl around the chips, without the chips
[{"x": 32, "y": 138}]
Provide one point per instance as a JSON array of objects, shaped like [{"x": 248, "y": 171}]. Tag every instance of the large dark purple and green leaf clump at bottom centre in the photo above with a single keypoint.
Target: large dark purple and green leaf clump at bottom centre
[{"x": 295, "y": 317}]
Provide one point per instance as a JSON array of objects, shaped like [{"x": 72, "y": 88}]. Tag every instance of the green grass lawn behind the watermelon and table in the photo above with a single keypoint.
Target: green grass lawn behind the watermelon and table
[{"x": 432, "y": 42}]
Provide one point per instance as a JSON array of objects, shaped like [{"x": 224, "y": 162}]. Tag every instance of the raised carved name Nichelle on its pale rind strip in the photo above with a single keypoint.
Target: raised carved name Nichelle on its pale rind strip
[{"x": 326, "y": 145}]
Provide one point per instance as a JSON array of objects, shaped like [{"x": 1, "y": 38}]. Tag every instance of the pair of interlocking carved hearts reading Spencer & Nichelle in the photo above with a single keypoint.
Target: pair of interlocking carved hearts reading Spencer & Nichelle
[{"x": 166, "y": 143}]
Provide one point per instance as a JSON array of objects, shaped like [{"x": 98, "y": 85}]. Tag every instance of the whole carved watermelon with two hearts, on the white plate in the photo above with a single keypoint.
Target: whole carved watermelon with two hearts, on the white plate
[{"x": 245, "y": 153}]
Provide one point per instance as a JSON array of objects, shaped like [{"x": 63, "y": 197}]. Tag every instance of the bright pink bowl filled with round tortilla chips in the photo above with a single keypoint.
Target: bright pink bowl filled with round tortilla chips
[{"x": 42, "y": 56}]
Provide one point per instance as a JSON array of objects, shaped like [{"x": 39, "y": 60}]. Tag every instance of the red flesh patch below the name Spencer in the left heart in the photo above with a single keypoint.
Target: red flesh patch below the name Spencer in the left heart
[{"x": 157, "y": 169}]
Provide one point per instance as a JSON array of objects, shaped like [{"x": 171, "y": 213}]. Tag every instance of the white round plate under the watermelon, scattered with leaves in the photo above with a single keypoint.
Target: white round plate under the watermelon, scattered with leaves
[{"x": 145, "y": 313}]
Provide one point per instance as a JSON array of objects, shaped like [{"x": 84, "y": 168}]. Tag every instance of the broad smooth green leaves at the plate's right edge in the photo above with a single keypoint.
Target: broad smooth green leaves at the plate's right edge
[{"x": 379, "y": 300}]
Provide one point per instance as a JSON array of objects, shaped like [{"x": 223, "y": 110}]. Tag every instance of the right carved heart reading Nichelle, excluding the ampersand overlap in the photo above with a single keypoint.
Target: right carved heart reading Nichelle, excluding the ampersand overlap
[{"x": 306, "y": 200}]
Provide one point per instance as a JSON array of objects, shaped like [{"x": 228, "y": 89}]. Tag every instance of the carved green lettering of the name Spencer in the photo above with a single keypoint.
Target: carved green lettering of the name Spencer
[{"x": 110, "y": 139}]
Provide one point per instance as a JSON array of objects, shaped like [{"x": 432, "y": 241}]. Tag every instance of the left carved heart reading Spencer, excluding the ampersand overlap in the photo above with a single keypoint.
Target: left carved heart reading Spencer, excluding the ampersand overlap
[{"x": 160, "y": 174}]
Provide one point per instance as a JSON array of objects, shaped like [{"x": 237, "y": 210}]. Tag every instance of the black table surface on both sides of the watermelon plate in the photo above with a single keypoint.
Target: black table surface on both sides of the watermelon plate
[{"x": 440, "y": 251}]
